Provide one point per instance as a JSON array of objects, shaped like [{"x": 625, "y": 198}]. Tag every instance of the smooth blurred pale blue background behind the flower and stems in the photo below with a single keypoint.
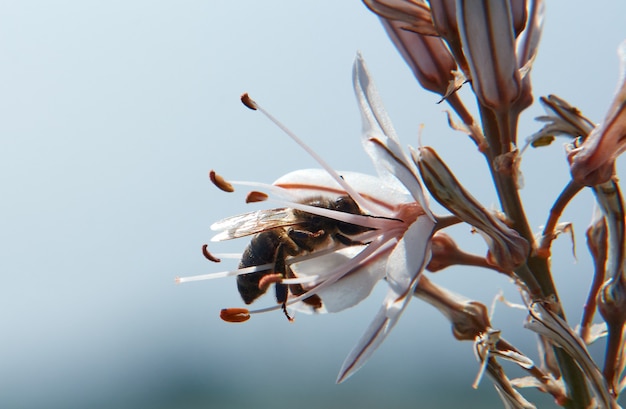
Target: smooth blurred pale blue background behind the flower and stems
[{"x": 111, "y": 115}]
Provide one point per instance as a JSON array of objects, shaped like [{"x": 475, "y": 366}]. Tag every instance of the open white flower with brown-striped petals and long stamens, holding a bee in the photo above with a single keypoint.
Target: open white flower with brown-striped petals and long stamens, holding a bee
[{"x": 387, "y": 237}]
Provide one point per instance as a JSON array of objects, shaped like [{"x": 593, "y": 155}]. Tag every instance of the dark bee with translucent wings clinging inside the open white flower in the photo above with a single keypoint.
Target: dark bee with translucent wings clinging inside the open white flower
[{"x": 284, "y": 233}]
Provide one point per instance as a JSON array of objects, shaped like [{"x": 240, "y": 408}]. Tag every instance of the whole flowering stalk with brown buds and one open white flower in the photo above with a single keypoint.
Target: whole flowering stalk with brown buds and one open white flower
[{"x": 332, "y": 236}]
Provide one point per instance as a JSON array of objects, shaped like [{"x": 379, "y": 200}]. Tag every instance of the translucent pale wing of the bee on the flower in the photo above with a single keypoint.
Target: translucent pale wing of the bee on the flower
[{"x": 253, "y": 222}]
